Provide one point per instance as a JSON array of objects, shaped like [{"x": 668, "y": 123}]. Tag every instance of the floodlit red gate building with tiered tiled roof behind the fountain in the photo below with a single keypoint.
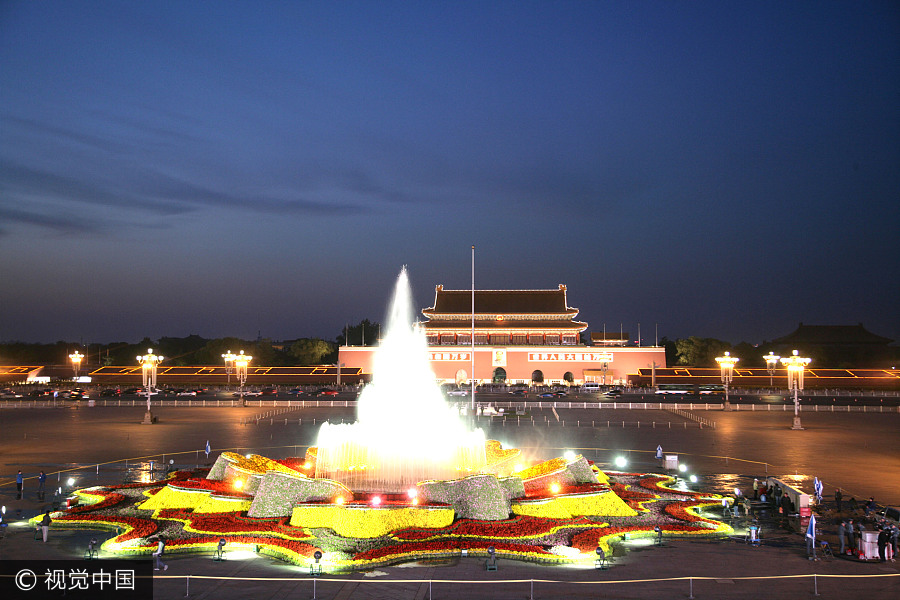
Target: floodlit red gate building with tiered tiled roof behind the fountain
[{"x": 520, "y": 336}]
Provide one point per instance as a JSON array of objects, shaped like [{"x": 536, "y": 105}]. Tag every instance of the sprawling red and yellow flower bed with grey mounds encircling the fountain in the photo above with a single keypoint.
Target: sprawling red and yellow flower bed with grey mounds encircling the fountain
[{"x": 292, "y": 515}]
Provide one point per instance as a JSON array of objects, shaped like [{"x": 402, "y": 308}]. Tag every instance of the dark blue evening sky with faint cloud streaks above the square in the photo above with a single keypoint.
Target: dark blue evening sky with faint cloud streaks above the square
[{"x": 721, "y": 169}]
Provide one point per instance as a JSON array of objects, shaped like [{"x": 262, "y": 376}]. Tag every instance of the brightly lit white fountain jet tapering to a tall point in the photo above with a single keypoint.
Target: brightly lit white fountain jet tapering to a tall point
[{"x": 406, "y": 432}]
